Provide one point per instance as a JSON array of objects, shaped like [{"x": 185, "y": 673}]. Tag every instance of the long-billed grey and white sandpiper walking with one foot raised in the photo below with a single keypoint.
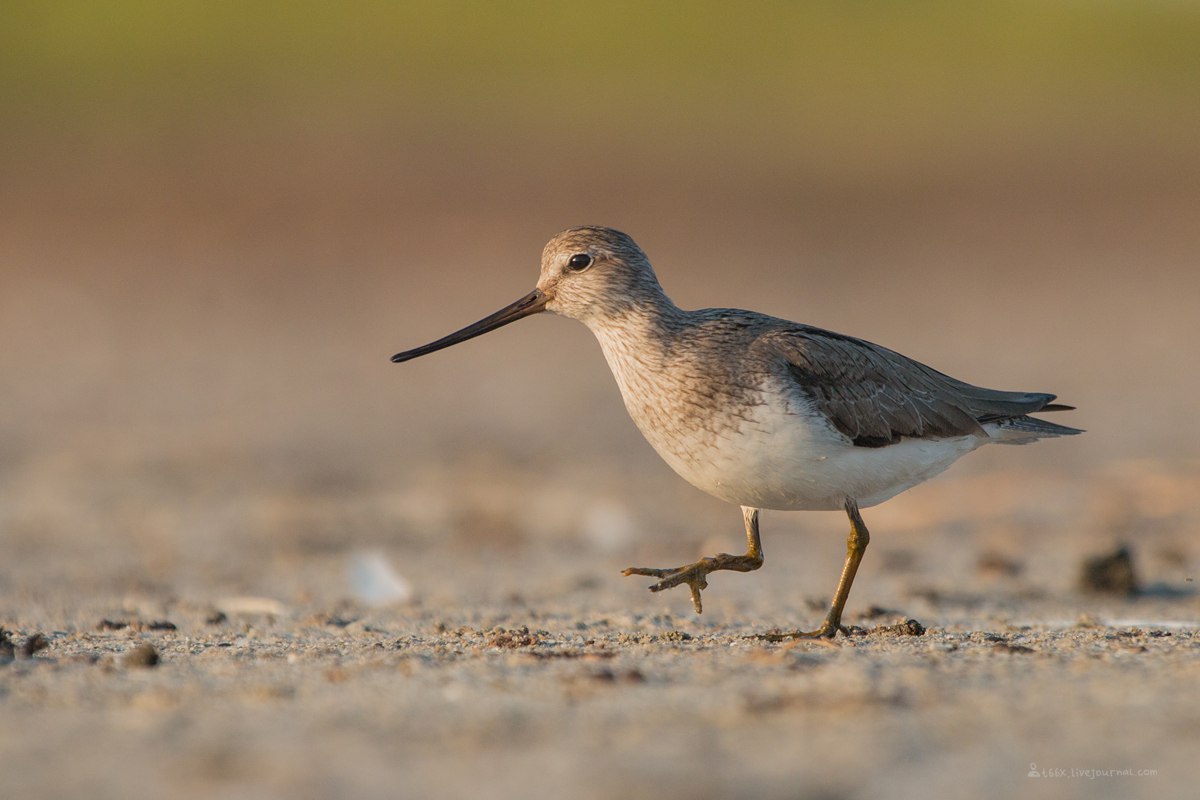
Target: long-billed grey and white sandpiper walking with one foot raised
[{"x": 761, "y": 412}]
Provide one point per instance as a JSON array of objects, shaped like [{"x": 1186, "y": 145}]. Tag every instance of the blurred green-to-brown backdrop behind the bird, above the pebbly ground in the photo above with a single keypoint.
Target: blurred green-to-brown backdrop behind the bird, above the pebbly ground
[{"x": 219, "y": 220}]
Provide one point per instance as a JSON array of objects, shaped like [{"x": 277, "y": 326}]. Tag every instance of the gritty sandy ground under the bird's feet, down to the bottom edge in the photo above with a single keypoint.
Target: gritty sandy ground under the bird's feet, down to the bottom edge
[{"x": 536, "y": 703}]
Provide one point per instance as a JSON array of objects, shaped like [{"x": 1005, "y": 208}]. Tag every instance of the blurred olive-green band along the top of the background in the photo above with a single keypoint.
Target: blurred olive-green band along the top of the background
[{"x": 862, "y": 86}]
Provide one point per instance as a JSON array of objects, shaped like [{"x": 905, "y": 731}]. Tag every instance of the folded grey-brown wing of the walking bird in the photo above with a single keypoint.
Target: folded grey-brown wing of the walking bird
[{"x": 877, "y": 396}]
